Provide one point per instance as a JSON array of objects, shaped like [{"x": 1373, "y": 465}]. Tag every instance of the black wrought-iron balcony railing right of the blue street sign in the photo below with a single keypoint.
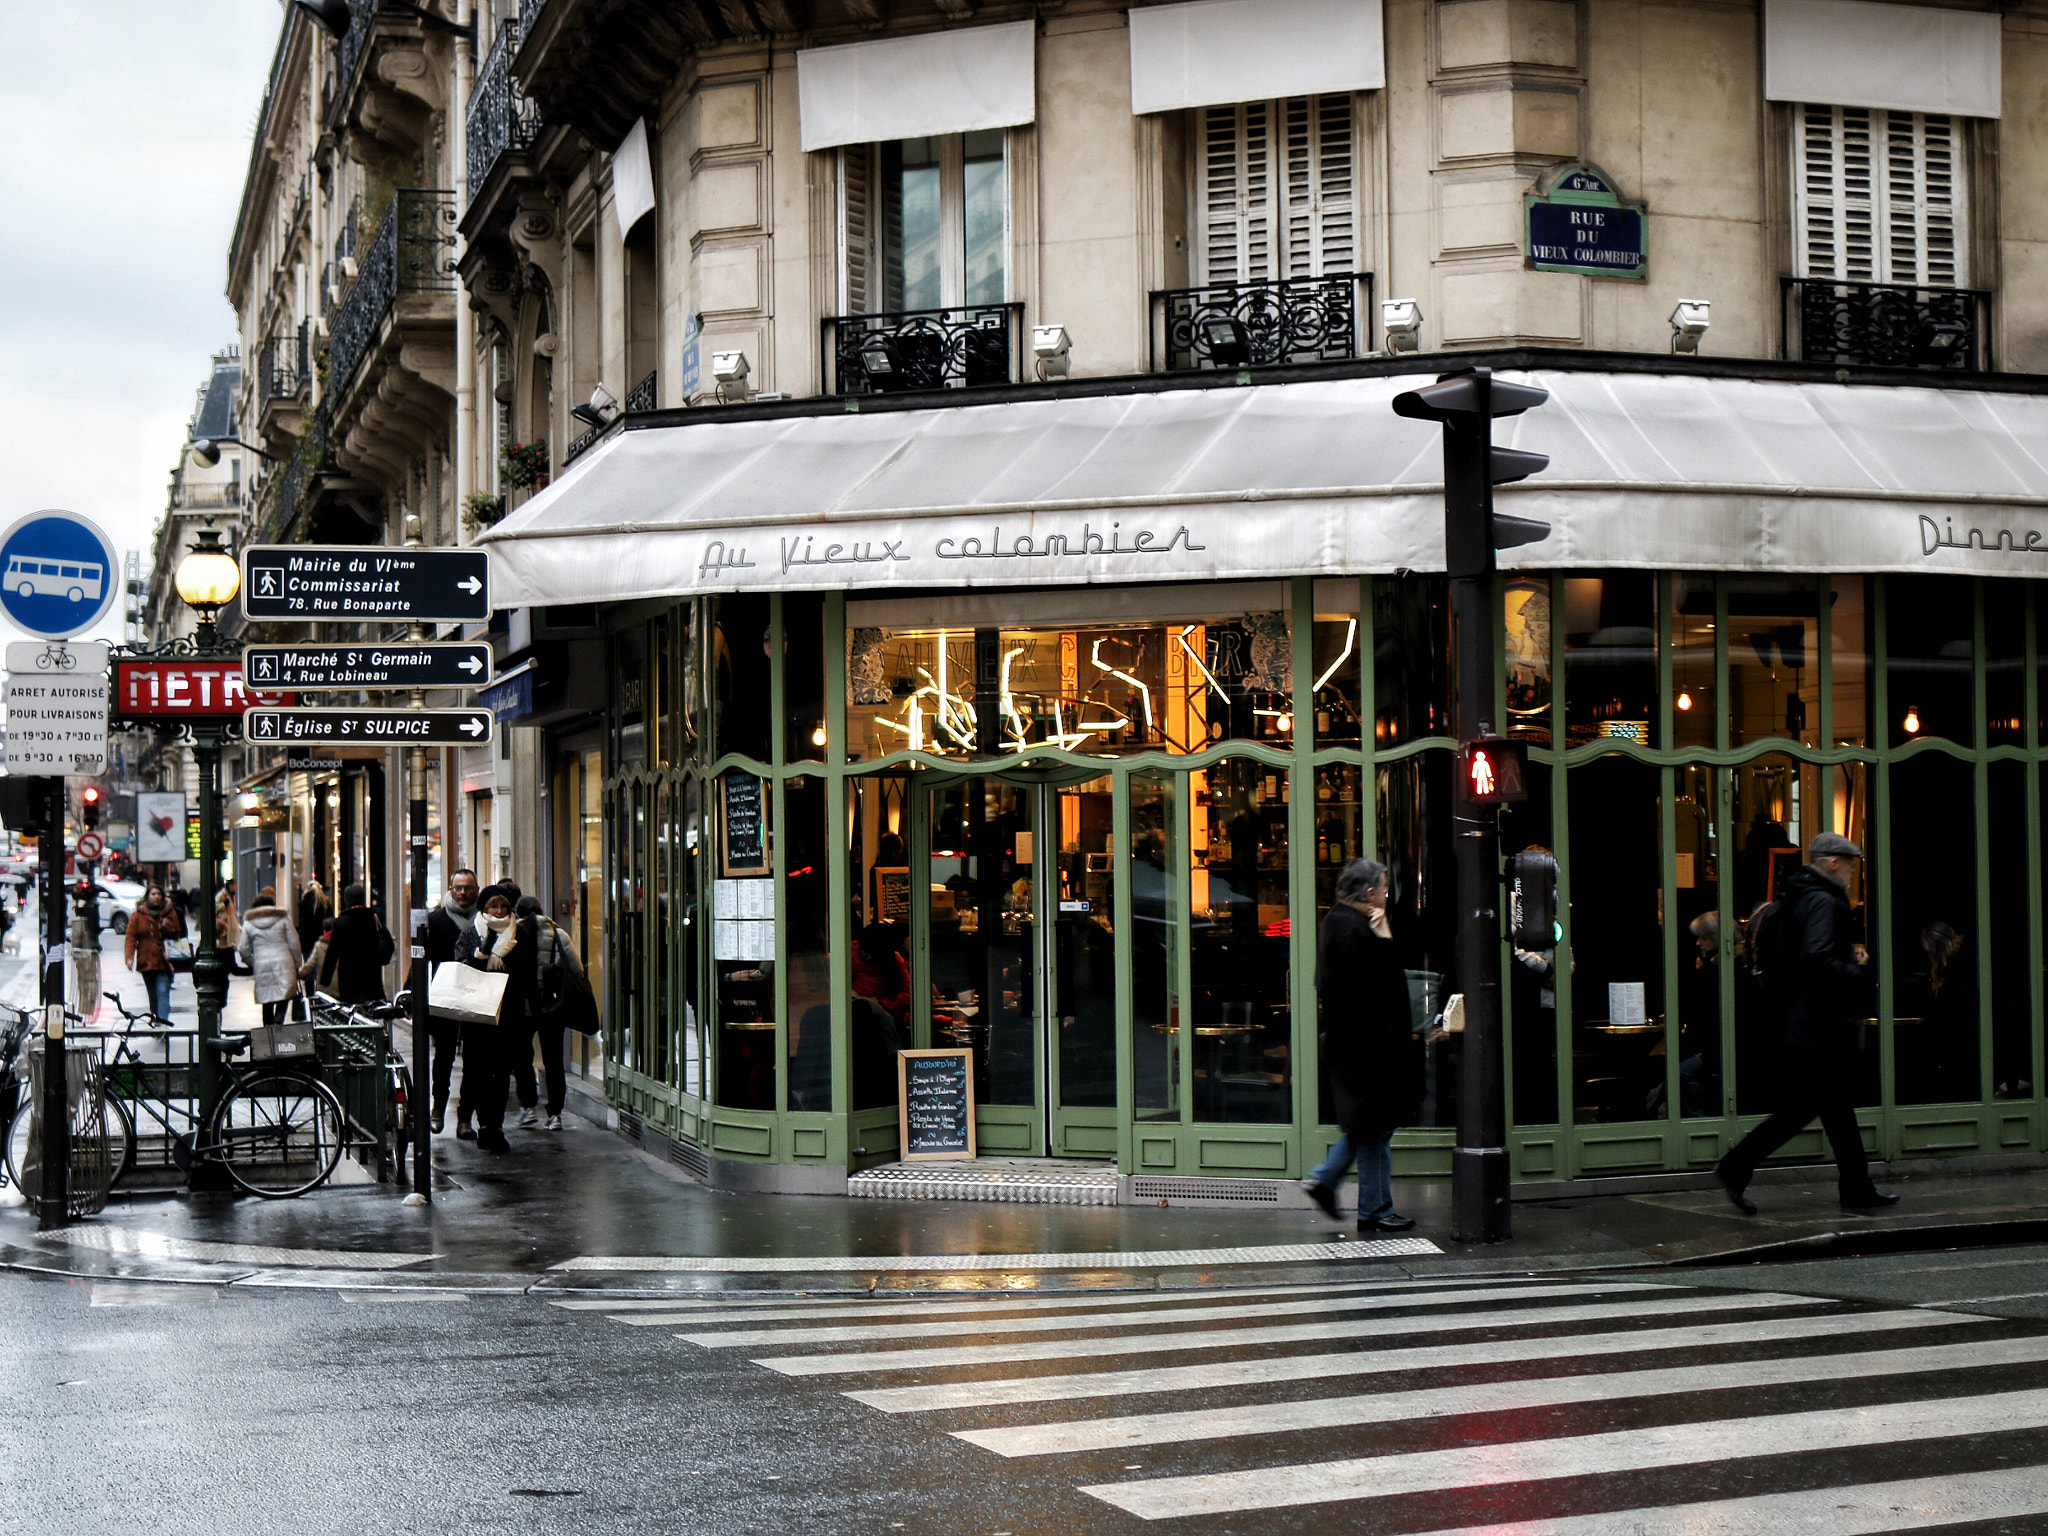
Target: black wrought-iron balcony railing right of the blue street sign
[{"x": 1887, "y": 325}]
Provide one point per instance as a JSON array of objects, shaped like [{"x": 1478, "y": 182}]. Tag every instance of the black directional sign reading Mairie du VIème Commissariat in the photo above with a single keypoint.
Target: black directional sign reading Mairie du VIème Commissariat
[{"x": 366, "y": 583}]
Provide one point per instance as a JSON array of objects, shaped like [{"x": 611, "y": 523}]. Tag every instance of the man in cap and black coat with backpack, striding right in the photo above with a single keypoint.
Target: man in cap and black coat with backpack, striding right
[{"x": 1818, "y": 984}]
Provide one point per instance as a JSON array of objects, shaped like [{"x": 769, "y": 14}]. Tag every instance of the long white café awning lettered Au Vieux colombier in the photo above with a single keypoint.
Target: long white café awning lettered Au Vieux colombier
[{"x": 1658, "y": 472}]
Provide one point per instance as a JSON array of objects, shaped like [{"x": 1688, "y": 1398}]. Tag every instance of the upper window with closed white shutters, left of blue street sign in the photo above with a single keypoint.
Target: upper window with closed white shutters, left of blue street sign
[{"x": 1277, "y": 191}]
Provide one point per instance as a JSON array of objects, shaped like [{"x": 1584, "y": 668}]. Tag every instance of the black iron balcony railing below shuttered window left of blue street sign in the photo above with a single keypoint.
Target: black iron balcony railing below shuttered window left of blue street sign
[{"x": 1263, "y": 325}]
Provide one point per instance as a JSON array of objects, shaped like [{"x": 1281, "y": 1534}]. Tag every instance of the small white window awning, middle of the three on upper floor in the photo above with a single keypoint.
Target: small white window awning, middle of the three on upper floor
[{"x": 1215, "y": 52}]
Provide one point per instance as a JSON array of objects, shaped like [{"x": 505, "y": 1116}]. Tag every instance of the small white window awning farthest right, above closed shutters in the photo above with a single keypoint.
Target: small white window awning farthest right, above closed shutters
[{"x": 1902, "y": 58}]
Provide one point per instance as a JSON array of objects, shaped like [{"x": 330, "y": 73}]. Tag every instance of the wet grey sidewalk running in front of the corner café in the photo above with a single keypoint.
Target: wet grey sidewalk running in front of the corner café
[{"x": 583, "y": 1209}]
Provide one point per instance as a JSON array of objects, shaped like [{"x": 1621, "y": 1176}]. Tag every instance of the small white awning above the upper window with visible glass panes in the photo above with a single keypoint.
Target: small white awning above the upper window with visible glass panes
[{"x": 912, "y": 87}]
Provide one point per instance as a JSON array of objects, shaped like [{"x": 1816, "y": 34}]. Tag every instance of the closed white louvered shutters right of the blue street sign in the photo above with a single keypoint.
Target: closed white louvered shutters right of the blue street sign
[{"x": 1879, "y": 198}]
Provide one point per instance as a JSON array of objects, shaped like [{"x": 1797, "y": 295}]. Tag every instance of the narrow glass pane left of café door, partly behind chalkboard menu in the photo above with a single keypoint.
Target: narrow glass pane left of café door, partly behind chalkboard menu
[{"x": 882, "y": 1013}]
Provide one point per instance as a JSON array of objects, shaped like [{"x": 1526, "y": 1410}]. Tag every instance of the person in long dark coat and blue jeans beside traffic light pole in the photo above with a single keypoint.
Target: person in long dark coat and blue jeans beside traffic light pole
[{"x": 1371, "y": 1054}]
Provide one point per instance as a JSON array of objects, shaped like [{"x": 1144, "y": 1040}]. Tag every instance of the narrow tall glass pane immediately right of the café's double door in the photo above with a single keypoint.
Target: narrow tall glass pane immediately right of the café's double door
[{"x": 1158, "y": 851}]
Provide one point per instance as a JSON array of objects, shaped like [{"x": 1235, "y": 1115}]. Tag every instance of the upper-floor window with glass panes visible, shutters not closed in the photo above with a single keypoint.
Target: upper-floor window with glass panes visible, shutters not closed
[{"x": 925, "y": 224}]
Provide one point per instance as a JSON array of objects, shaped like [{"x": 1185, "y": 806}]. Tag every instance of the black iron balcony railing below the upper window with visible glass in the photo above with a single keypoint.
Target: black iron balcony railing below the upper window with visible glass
[{"x": 925, "y": 349}]
